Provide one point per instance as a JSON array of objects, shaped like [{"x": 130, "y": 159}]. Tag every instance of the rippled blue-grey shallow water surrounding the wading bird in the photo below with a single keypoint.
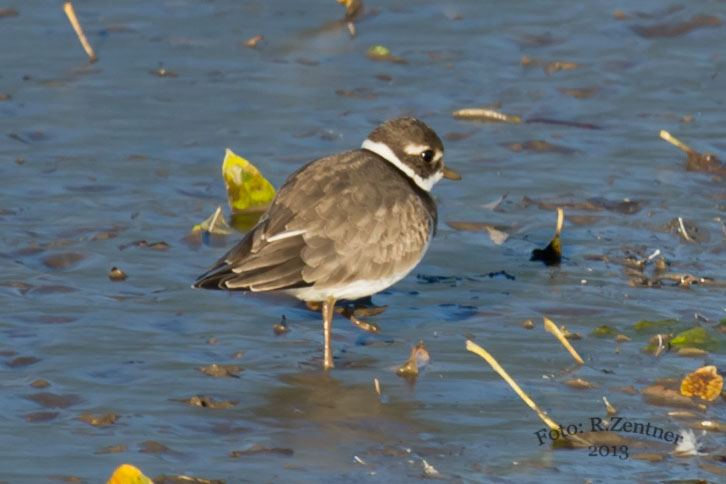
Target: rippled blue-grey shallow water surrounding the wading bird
[{"x": 113, "y": 154}]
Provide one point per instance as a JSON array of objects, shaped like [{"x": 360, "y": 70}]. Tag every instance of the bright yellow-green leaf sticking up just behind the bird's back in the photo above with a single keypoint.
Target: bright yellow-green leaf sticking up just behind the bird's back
[{"x": 246, "y": 187}]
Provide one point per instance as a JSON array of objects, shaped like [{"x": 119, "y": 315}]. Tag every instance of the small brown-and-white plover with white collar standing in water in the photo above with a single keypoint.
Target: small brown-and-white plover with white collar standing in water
[{"x": 345, "y": 226}]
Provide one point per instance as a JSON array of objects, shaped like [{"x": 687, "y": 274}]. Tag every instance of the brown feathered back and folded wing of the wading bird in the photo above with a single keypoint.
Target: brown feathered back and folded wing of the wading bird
[{"x": 334, "y": 221}]
